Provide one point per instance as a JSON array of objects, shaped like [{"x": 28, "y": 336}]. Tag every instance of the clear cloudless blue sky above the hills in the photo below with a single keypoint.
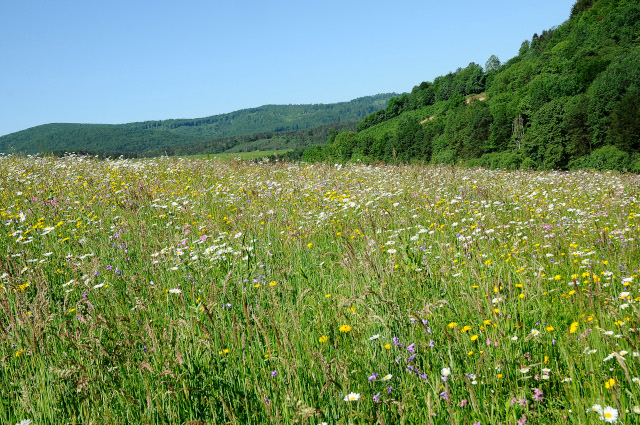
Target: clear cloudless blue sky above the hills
[{"x": 121, "y": 61}]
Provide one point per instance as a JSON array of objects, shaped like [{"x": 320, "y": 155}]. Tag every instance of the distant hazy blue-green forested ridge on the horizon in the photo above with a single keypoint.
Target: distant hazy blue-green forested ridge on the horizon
[{"x": 166, "y": 135}]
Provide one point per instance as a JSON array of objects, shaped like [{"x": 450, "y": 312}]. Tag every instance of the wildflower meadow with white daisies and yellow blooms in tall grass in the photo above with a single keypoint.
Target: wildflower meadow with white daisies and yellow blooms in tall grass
[{"x": 193, "y": 291}]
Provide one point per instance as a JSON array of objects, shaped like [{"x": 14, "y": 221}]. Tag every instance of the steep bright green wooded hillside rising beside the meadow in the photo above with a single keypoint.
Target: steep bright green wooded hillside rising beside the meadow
[{"x": 569, "y": 99}]
